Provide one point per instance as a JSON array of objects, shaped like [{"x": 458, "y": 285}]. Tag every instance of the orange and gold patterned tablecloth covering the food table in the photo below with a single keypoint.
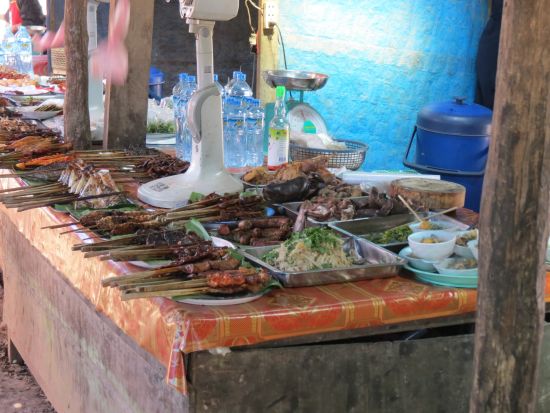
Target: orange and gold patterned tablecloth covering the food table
[{"x": 168, "y": 329}]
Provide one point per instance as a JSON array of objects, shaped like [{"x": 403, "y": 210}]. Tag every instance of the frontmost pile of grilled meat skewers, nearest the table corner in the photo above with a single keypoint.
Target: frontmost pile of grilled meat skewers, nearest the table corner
[{"x": 198, "y": 268}]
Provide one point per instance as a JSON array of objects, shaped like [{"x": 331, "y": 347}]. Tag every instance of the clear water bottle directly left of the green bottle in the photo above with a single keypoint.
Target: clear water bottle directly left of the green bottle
[{"x": 254, "y": 126}]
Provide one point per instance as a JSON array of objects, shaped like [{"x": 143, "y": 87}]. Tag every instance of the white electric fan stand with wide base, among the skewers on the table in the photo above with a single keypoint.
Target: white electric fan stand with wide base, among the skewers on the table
[{"x": 206, "y": 173}]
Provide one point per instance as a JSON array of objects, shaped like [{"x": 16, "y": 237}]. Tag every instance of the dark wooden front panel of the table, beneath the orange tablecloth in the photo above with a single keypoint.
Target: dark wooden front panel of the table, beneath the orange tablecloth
[{"x": 429, "y": 375}]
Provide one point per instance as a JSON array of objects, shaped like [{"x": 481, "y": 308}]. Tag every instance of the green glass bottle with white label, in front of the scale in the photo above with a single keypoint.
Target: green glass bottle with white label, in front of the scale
[{"x": 279, "y": 134}]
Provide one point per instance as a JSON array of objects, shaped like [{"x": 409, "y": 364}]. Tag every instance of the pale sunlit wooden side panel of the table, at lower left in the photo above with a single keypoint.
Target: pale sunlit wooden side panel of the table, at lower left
[{"x": 82, "y": 361}]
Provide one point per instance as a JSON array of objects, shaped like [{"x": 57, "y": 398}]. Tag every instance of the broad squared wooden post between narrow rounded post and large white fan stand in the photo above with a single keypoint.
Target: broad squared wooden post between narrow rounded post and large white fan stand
[{"x": 126, "y": 106}]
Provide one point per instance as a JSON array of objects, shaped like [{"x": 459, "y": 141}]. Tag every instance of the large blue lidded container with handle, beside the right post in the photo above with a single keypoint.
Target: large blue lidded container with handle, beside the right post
[{"x": 452, "y": 140}]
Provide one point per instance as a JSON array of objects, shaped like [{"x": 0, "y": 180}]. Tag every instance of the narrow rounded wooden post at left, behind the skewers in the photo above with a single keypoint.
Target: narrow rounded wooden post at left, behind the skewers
[{"x": 77, "y": 118}]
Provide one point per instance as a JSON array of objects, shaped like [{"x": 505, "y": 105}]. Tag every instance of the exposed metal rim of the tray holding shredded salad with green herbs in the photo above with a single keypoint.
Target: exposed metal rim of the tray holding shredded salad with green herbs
[{"x": 377, "y": 263}]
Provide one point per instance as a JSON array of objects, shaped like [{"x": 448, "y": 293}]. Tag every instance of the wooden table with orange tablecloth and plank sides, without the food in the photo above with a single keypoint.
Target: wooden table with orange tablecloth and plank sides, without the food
[{"x": 91, "y": 352}]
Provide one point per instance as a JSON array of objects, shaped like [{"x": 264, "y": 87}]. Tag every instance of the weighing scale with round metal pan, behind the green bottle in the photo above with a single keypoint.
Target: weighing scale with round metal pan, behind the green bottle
[{"x": 299, "y": 113}]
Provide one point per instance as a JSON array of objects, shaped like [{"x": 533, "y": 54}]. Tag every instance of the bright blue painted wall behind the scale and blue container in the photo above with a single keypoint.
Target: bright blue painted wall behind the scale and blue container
[{"x": 386, "y": 59}]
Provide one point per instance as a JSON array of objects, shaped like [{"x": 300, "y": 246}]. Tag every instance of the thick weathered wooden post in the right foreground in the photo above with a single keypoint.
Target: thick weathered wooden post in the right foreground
[{"x": 514, "y": 217}]
